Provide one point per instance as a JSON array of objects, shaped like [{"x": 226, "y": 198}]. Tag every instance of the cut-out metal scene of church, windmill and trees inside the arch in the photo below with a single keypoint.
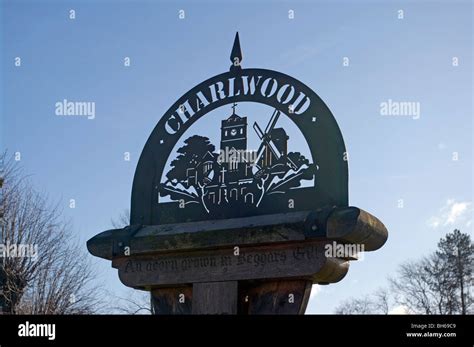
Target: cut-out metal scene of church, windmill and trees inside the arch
[{"x": 214, "y": 179}]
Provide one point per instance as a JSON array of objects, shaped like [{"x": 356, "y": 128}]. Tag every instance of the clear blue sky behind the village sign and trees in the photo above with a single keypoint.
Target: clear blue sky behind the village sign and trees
[{"x": 391, "y": 157}]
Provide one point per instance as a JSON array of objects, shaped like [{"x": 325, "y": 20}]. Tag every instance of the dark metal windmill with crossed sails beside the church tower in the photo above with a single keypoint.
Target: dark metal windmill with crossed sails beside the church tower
[{"x": 274, "y": 143}]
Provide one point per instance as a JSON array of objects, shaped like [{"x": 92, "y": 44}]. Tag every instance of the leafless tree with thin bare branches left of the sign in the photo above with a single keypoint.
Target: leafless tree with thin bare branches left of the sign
[{"x": 55, "y": 276}]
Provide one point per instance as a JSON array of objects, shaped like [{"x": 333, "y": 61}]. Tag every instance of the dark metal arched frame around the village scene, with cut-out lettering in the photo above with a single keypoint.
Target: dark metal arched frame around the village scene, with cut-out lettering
[{"x": 317, "y": 125}]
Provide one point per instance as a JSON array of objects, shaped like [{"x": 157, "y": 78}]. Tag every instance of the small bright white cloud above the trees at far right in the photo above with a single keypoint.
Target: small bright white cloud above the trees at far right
[{"x": 451, "y": 214}]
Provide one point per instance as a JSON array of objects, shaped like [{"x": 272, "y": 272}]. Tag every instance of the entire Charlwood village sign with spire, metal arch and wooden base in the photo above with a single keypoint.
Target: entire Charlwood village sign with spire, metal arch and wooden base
[{"x": 238, "y": 231}]
